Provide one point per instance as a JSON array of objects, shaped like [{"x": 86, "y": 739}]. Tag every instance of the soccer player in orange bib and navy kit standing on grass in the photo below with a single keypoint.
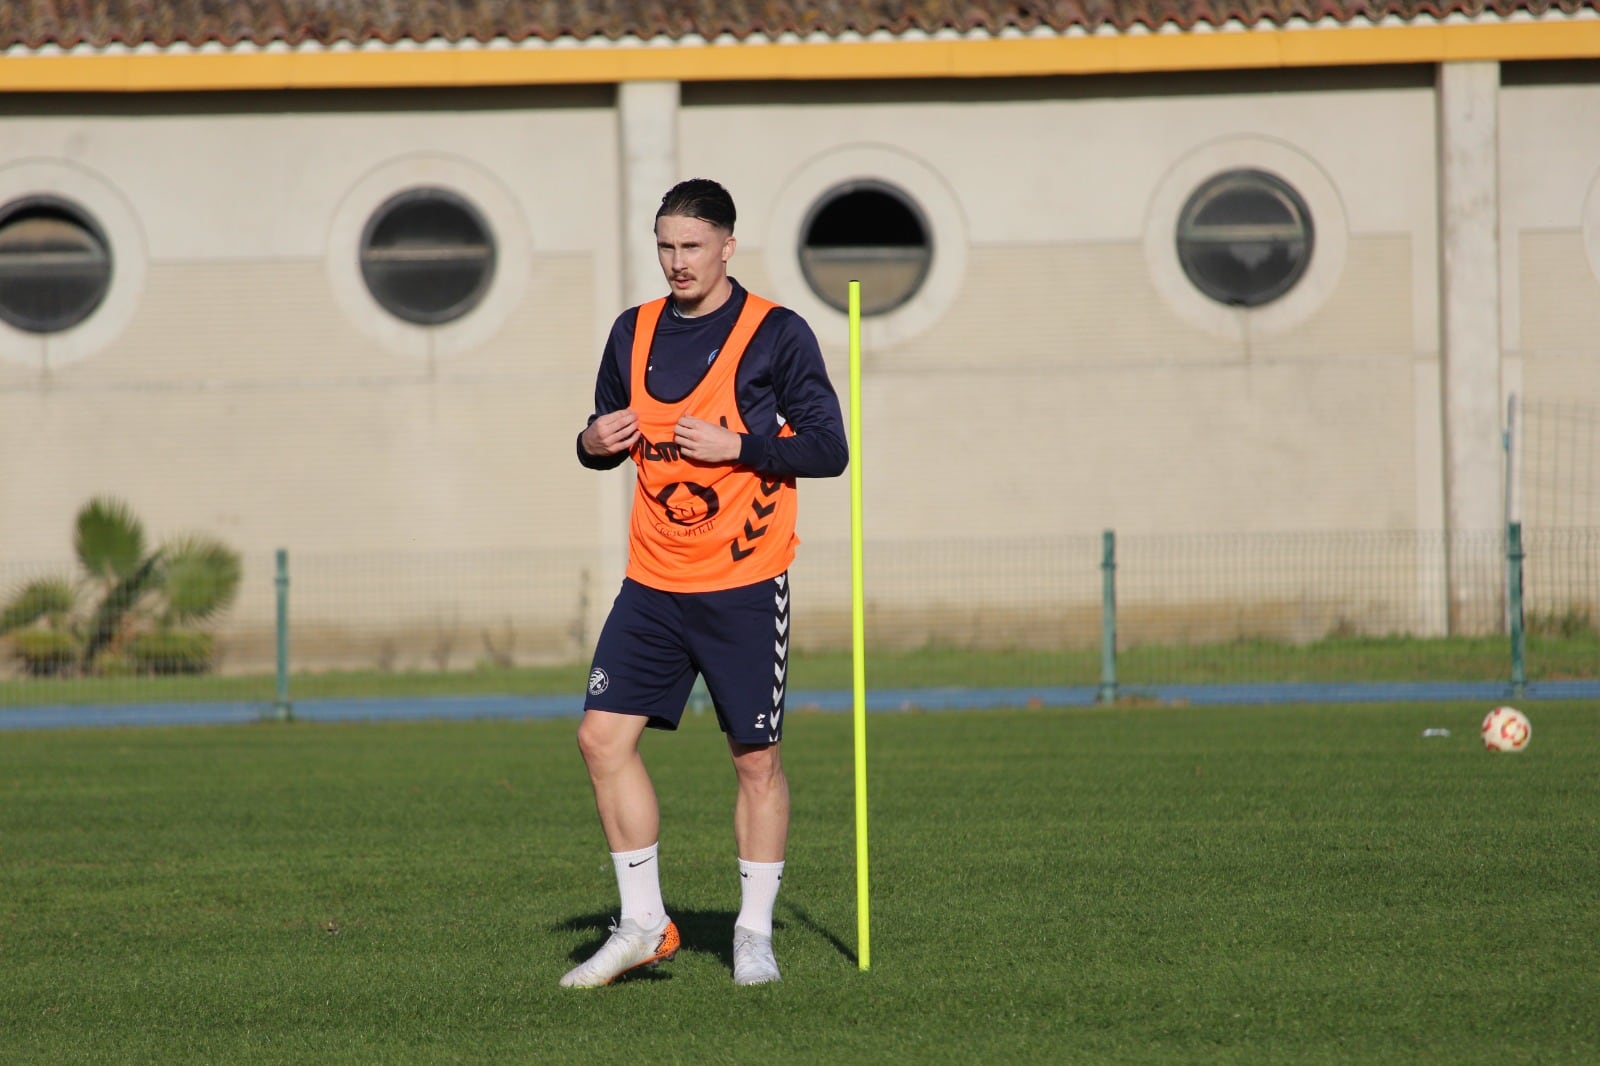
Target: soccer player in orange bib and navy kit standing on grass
[{"x": 722, "y": 401}]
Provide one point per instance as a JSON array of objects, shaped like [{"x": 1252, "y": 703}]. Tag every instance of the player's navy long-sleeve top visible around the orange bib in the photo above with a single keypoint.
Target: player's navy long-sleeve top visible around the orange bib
[{"x": 782, "y": 380}]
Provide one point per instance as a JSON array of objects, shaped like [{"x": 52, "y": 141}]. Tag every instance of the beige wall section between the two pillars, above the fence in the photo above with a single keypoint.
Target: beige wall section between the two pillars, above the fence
[{"x": 1063, "y": 383}]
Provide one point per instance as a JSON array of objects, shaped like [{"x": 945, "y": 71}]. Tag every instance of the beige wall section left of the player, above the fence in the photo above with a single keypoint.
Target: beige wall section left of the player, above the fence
[{"x": 255, "y": 388}]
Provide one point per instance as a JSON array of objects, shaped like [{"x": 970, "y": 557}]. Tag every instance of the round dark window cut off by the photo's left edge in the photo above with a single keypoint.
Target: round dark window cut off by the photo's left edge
[{"x": 55, "y": 265}]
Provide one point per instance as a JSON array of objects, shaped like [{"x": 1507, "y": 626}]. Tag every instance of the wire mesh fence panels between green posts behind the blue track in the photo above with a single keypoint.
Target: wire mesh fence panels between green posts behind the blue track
[{"x": 1218, "y": 609}]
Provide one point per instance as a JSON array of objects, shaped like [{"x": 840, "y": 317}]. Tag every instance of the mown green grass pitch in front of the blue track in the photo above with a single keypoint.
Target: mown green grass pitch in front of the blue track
[{"x": 1135, "y": 886}]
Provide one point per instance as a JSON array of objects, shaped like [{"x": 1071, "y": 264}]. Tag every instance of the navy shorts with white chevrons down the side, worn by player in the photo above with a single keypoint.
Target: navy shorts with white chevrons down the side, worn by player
[{"x": 655, "y": 643}]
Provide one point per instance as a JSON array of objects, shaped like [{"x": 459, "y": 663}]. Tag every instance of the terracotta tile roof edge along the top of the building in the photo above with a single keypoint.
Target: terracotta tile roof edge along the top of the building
[{"x": 102, "y": 23}]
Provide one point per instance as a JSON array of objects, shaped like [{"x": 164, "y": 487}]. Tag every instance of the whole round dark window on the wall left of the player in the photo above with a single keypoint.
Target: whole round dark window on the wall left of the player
[{"x": 428, "y": 257}]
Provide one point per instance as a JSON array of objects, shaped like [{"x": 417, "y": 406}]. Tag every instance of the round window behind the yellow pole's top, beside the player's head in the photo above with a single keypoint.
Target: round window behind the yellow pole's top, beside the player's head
[{"x": 870, "y": 233}]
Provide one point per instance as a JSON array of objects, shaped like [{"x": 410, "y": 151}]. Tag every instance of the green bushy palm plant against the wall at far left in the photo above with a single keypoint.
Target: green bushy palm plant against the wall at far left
[{"x": 124, "y": 593}]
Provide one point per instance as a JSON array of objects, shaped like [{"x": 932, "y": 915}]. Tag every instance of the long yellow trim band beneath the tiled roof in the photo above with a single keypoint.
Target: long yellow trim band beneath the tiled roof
[{"x": 174, "y": 71}]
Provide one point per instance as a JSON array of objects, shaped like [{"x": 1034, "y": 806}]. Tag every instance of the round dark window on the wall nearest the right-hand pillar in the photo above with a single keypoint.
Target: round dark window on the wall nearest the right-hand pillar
[{"x": 1246, "y": 238}]
